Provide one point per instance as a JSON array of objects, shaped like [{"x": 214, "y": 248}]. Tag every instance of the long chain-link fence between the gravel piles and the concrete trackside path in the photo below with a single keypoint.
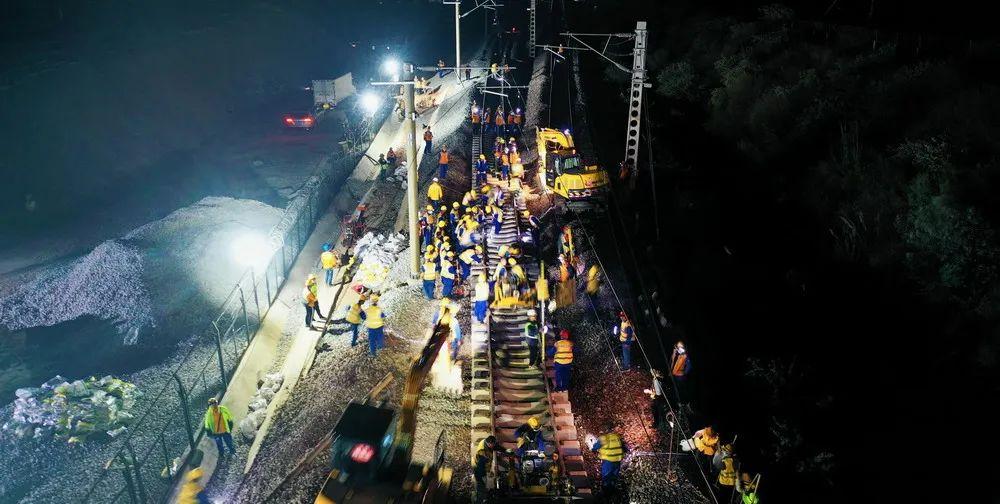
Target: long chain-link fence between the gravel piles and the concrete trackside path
[{"x": 171, "y": 426}]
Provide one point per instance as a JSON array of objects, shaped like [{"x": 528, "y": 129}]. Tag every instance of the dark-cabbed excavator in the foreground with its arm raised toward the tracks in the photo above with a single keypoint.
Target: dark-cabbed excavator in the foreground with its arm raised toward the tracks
[{"x": 372, "y": 448}]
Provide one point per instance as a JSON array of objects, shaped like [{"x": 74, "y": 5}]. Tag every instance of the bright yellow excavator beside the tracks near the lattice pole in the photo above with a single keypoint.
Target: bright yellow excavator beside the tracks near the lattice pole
[{"x": 561, "y": 169}]
